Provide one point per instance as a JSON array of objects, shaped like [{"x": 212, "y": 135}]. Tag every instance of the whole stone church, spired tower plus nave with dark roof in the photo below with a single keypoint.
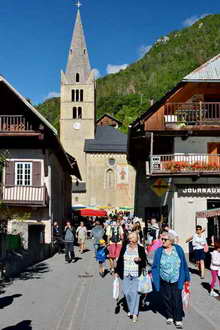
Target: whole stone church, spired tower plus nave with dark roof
[{"x": 98, "y": 145}]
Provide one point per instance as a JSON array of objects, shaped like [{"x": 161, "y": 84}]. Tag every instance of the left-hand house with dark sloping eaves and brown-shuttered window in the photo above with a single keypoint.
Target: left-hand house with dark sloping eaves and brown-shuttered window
[{"x": 36, "y": 178}]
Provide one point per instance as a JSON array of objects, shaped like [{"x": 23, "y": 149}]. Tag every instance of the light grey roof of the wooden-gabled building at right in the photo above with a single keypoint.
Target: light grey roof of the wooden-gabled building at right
[{"x": 208, "y": 71}]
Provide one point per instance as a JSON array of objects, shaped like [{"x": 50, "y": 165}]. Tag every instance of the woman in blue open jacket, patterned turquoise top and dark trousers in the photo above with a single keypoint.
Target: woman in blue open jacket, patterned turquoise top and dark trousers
[{"x": 170, "y": 272}]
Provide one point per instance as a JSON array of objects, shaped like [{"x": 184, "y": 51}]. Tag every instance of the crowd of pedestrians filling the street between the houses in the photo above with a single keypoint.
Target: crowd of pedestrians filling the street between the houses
[{"x": 146, "y": 258}]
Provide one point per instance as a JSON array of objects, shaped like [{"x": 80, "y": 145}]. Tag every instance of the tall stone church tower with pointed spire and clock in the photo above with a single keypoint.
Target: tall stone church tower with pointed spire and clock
[{"x": 77, "y": 110}]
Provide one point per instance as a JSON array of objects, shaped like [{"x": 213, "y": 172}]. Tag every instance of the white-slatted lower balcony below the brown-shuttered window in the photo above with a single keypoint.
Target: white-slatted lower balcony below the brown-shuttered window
[{"x": 25, "y": 195}]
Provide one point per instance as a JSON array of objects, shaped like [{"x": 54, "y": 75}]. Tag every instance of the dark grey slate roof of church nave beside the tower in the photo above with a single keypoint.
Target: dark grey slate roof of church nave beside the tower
[{"x": 107, "y": 139}]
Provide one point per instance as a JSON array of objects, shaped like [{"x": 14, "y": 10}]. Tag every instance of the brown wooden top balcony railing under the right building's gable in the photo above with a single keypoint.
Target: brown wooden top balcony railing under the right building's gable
[{"x": 196, "y": 113}]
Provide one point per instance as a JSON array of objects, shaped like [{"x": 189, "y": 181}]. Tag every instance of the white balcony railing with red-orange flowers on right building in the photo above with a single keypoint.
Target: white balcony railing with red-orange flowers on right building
[{"x": 185, "y": 164}]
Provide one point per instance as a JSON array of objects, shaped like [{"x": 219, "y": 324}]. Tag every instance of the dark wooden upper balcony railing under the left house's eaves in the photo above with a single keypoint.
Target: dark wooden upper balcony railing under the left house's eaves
[{"x": 14, "y": 123}]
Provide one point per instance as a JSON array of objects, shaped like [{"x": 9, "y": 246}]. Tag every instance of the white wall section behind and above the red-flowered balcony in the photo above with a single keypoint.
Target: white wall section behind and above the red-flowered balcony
[{"x": 193, "y": 144}]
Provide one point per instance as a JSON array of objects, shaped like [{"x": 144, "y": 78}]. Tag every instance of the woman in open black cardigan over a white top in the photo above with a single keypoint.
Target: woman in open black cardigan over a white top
[{"x": 131, "y": 262}]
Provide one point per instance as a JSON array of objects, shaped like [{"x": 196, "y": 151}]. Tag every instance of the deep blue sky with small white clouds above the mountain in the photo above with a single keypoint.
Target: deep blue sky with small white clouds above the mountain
[{"x": 35, "y": 36}]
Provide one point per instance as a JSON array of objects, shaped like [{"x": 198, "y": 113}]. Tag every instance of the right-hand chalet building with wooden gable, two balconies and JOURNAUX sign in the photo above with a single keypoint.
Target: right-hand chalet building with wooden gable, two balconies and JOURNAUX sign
[{"x": 175, "y": 149}]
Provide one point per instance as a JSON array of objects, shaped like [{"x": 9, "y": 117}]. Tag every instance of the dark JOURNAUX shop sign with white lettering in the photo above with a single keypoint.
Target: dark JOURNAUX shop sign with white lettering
[{"x": 198, "y": 190}]
